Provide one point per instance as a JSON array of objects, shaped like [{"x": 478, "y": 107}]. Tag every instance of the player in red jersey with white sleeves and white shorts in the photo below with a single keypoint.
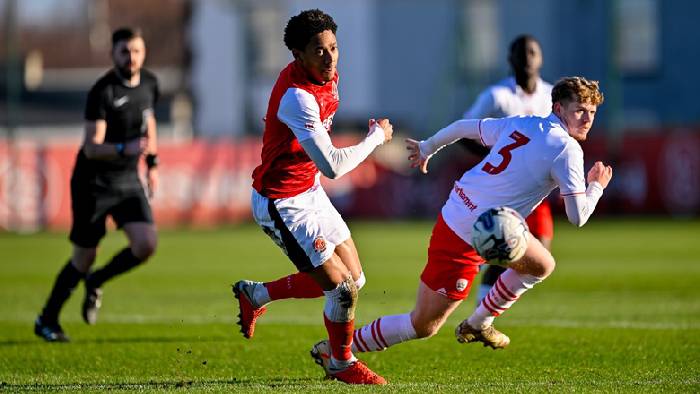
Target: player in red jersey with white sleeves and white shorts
[{"x": 291, "y": 206}]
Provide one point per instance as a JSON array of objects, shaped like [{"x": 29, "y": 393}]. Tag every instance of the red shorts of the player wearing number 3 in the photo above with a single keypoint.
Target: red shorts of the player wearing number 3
[{"x": 452, "y": 263}]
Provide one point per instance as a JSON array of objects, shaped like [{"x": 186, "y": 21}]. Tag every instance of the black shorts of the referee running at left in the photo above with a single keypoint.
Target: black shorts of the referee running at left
[{"x": 91, "y": 205}]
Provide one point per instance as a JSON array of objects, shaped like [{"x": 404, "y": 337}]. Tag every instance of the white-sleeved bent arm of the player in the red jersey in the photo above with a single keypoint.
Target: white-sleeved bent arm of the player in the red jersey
[{"x": 300, "y": 112}]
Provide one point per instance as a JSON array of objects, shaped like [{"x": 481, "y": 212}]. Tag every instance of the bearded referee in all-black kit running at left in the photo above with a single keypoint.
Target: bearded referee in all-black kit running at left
[{"x": 120, "y": 129}]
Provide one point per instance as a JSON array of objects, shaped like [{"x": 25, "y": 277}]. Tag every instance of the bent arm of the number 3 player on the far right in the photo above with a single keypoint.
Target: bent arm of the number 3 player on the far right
[{"x": 579, "y": 202}]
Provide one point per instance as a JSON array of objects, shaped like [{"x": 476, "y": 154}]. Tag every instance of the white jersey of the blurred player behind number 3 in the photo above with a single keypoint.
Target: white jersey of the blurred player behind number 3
[{"x": 507, "y": 98}]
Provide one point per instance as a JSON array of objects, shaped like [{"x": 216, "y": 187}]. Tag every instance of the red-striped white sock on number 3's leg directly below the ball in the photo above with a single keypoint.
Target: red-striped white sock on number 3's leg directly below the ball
[{"x": 509, "y": 286}]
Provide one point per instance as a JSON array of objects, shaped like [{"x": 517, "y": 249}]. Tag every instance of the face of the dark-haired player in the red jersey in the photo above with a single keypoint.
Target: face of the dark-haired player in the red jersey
[{"x": 320, "y": 57}]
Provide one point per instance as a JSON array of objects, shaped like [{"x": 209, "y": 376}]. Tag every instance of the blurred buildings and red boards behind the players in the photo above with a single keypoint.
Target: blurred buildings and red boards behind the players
[{"x": 420, "y": 63}]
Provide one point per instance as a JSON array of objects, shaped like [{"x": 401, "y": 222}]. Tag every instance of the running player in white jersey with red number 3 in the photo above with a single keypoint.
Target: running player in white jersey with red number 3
[{"x": 529, "y": 157}]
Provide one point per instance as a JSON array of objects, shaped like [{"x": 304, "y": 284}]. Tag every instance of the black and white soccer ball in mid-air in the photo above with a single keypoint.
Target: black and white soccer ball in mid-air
[{"x": 500, "y": 235}]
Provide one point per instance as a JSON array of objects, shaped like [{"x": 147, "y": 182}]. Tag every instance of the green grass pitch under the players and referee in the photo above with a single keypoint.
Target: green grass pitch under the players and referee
[{"x": 621, "y": 313}]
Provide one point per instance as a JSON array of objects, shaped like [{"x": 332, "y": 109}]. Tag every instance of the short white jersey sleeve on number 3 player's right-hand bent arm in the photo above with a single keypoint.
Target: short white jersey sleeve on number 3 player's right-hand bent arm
[{"x": 567, "y": 170}]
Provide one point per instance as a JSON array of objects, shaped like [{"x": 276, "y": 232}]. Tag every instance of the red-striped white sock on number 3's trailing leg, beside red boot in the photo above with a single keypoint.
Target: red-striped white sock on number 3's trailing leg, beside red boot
[{"x": 383, "y": 332}]
